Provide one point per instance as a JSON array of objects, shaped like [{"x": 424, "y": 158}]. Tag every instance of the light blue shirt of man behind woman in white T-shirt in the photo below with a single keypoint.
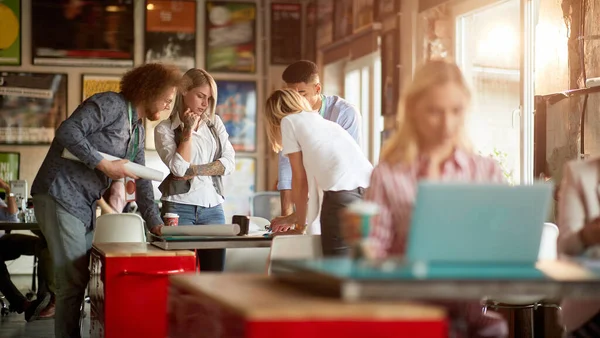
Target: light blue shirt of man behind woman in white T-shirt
[{"x": 337, "y": 110}]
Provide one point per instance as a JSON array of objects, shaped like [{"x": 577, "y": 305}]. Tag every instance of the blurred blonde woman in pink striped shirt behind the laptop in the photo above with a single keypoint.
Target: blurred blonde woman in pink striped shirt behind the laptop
[{"x": 429, "y": 143}]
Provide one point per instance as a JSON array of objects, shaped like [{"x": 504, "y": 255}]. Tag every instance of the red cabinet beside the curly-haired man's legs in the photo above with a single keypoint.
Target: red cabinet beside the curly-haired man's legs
[{"x": 128, "y": 288}]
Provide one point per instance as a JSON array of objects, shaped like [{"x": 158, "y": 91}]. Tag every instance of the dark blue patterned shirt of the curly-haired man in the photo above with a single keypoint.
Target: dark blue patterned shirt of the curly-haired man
[{"x": 99, "y": 124}]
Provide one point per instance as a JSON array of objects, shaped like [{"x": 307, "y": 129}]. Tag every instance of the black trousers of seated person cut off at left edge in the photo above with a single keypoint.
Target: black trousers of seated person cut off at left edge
[{"x": 13, "y": 246}]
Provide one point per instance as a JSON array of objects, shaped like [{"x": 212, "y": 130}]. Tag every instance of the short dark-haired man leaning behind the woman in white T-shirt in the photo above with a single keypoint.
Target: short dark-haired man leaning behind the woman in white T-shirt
[{"x": 303, "y": 76}]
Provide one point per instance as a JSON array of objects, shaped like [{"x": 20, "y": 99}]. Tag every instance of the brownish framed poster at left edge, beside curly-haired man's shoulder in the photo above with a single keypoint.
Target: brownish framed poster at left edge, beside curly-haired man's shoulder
[{"x": 32, "y": 106}]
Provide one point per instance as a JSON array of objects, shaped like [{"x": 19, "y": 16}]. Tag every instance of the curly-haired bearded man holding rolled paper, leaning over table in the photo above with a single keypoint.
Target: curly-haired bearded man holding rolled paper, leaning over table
[{"x": 65, "y": 192}]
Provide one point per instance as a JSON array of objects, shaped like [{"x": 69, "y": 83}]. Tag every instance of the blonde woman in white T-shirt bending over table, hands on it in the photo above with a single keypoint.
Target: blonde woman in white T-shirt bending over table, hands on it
[{"x": 324, "y": 158}]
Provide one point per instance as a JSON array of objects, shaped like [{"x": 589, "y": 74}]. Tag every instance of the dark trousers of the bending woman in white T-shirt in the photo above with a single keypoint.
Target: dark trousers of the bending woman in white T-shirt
[{"x": 333, "y": 203}]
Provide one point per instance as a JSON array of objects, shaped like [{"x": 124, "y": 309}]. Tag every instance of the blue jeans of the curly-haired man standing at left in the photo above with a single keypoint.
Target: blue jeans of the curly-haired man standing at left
[{"x": 70, "y": 243}]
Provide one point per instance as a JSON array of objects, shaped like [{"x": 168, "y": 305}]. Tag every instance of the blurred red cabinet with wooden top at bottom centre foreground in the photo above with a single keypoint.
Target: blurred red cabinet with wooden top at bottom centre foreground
[{"x": 254, "y": 306}]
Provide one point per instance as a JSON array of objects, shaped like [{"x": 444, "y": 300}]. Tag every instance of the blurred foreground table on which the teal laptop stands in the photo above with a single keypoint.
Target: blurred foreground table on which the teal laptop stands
[{"x": 352, "y": 282}]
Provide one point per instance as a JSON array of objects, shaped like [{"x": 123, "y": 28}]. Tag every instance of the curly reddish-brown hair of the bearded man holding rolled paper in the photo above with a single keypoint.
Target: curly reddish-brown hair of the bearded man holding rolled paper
[{"x": 145, "y": 84}]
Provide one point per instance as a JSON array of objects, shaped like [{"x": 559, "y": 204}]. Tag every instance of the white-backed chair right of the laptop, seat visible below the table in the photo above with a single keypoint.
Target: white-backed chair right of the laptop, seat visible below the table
[{"x": 547, "y": 251}]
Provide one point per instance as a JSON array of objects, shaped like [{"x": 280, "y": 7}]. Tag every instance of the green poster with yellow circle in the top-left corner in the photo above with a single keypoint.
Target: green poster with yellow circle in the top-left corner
[{"x": 10, "y": 32}]
